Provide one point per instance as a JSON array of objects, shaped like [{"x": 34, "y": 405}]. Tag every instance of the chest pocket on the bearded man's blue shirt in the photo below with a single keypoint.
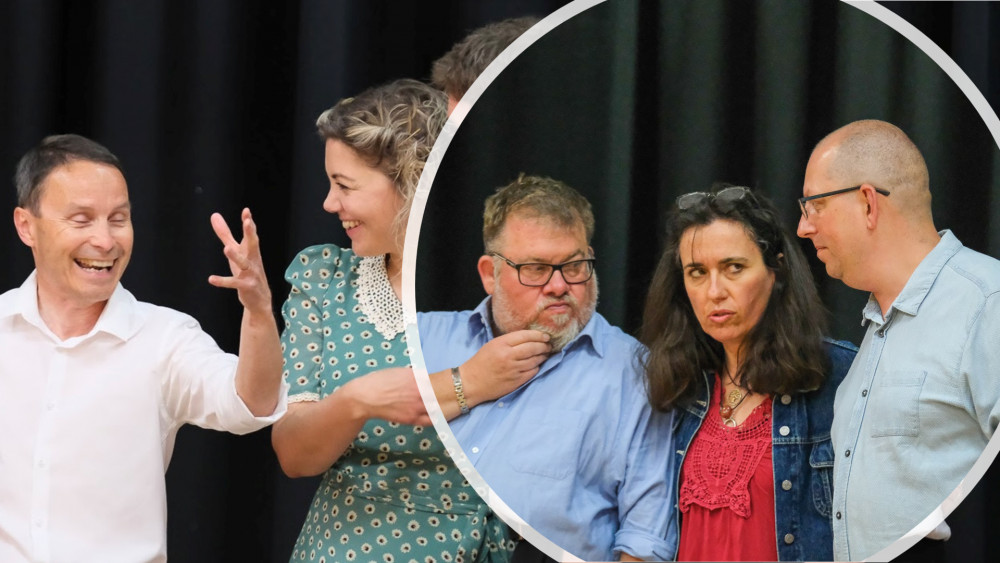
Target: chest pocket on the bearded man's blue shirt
[{"x": 547, "y": 443}]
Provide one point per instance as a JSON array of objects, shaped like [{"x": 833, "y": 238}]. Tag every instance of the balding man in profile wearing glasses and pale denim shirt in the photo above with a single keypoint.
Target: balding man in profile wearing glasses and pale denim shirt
[{"x": 920, "y": 402}]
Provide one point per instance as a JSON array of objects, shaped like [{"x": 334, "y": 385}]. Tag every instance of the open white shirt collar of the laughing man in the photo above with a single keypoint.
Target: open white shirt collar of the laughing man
[{"x": 120, "y": 318}]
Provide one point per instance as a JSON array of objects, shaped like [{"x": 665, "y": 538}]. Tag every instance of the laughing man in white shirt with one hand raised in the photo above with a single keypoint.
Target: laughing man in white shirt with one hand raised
[{"x": 94, "y": 384}]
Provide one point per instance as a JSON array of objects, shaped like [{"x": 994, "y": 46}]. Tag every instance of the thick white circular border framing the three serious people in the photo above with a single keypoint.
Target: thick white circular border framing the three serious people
[{"x": 444, "y": 139}]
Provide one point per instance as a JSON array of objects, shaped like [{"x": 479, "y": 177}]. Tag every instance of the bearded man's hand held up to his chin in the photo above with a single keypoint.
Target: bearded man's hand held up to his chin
[{"x": 504, "y": 364}]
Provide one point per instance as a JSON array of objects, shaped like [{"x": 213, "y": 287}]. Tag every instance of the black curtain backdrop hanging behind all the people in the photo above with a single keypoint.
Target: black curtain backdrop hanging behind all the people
[{"x": 210, "y": 106}]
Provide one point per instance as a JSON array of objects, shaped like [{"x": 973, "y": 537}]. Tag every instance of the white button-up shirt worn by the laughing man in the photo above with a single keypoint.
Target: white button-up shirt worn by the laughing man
[{"x": 87, "y": 426}]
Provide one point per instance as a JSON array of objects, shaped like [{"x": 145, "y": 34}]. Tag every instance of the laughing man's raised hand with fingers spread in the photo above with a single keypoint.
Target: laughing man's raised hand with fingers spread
[{"x": 248, "y": 279}]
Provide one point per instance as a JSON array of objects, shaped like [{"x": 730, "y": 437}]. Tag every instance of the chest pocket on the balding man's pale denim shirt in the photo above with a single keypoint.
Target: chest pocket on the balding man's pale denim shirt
[{"x": 894, "y": 408}]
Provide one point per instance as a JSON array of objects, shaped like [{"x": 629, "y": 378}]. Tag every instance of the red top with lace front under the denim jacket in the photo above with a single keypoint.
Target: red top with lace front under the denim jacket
[{"x": 727, "y": 489}]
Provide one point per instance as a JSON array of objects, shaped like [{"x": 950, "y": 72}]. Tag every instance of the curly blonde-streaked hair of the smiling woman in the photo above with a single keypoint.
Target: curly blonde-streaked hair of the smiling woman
[{"x": 392, "y": 127}]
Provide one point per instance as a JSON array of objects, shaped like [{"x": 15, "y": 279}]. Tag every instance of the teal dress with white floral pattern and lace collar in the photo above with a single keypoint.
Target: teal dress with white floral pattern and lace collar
[{"x": 395, "y": 495}]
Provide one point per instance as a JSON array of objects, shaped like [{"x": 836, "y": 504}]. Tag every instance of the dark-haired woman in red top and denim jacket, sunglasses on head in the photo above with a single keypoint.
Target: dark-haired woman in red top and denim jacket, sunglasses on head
[{"x": 735, "y": 331}]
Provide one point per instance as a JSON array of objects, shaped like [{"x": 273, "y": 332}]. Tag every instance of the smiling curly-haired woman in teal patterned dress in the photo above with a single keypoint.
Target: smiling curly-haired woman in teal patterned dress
[{"x": 355, "y": 416}]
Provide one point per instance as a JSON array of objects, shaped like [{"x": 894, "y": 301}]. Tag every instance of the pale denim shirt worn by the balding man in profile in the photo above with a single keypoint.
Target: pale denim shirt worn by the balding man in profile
[{"x": 920, "y": 401}]
